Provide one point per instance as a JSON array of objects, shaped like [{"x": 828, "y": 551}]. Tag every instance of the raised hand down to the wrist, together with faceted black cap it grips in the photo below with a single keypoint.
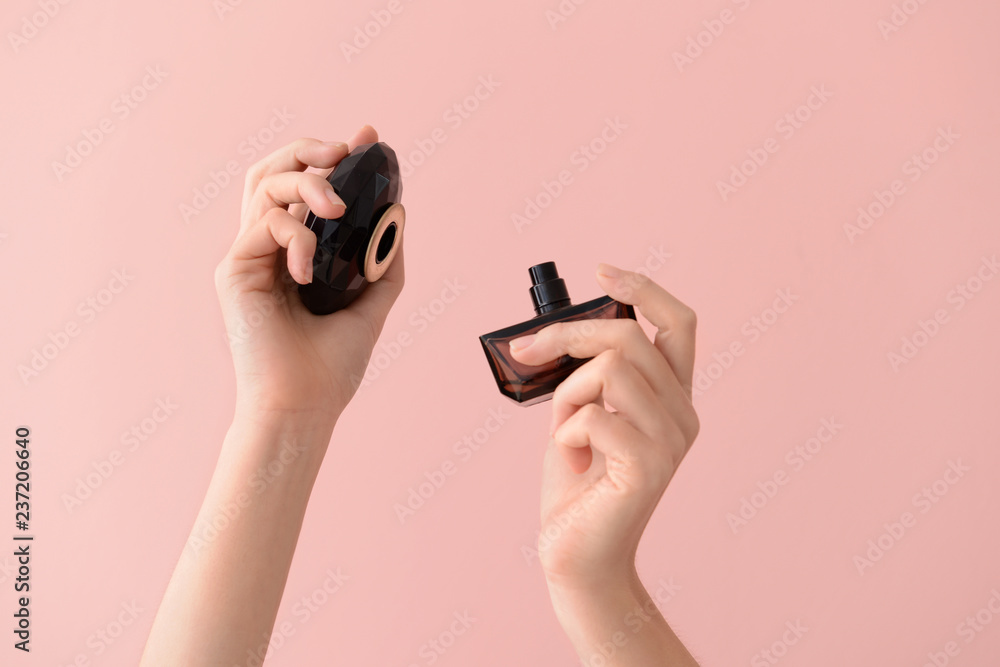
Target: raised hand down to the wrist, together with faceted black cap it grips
[{"x": 285, "y": 357}]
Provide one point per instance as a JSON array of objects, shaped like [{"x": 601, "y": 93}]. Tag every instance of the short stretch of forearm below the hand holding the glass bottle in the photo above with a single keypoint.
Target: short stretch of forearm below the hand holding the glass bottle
[{"x": 618, "y": 626}]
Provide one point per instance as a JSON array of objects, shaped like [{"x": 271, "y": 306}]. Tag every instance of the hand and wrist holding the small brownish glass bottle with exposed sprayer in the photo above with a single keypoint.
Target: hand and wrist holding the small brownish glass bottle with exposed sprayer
[{"x": 606, "y": 469}]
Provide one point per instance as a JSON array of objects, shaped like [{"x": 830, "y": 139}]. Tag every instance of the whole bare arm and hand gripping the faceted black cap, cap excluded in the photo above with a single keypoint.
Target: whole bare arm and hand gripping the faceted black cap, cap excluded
[{"x": 295, "y": 373}]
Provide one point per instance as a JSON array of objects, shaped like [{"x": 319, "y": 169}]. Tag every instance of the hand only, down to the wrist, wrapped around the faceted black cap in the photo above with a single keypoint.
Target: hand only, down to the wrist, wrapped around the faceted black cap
[{"x": 289, "y": 361}]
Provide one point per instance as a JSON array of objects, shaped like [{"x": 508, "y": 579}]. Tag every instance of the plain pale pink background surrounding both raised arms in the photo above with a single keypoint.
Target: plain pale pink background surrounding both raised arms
[{"x": 654, "y": 186}]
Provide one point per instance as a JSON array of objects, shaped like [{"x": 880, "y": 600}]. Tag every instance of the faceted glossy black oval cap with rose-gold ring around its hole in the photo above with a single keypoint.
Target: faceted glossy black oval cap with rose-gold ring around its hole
[{"x": 358, "y": 247}]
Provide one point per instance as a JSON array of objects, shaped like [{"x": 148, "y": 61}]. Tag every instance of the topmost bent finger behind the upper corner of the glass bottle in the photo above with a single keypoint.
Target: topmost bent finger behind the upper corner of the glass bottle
[{"x": 674, "y": 321}]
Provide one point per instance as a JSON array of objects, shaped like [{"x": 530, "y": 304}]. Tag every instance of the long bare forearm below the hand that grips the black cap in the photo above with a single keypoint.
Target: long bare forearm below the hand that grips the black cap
[{"x": 224, "y": 594}]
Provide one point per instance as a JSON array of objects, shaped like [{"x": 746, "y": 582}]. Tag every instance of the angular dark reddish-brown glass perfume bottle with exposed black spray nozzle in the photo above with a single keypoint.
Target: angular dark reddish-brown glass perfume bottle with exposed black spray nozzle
[{"x": 528, "y": 385}]
